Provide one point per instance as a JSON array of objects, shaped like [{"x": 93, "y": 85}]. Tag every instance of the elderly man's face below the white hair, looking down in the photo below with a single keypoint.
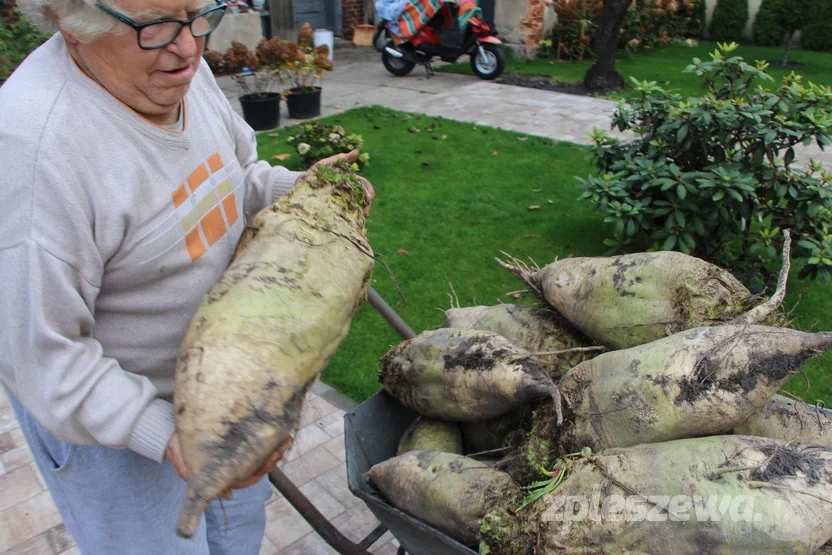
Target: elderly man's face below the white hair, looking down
[{"x": 151, "y": 82}]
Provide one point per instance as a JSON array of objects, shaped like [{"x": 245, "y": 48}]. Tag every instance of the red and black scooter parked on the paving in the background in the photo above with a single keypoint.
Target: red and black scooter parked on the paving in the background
[{"x": 437, "y": 40}]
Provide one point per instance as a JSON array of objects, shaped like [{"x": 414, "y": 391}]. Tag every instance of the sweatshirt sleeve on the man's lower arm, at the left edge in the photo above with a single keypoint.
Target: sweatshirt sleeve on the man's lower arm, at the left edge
[{"x": 57, "y": 370}]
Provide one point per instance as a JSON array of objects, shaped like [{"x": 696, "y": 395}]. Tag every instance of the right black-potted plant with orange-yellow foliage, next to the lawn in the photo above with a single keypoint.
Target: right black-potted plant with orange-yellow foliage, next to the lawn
[{"x": 303, "y": 67}]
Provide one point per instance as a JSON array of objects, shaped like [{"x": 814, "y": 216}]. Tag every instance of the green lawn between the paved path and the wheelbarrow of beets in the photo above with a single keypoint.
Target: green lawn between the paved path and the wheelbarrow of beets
[{"x": 451, "y": 197}]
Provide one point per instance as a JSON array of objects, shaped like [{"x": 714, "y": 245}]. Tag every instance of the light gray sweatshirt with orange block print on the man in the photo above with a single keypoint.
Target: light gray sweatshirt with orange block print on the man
[{"x": 112, "y": 230}]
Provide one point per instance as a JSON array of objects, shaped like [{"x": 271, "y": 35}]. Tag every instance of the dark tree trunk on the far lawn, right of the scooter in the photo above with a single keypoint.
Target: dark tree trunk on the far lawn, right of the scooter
[{"x": 602, "y": 76}]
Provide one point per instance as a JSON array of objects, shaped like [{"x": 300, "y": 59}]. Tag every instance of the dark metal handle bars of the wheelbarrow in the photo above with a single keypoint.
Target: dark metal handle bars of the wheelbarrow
[{"x": 299, "y": 501}]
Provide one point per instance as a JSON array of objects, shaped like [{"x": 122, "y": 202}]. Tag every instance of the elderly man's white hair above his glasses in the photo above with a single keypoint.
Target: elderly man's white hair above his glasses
[{"x": 80, "y": 18}]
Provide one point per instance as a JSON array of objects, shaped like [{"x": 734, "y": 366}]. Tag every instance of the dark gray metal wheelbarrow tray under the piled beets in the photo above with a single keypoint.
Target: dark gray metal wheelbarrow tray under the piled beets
[{"x": 371, "y": 435}]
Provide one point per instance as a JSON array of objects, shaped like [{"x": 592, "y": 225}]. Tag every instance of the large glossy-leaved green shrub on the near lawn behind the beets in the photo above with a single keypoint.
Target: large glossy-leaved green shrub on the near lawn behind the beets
[{"x": 715, "y": 175}]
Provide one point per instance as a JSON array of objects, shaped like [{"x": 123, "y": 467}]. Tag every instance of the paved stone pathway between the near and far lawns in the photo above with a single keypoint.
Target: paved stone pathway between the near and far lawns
[{"x": 359, "y": 79}]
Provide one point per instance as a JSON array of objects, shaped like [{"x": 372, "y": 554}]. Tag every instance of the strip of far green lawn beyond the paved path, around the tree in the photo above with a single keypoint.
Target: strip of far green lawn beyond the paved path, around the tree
[{"x": 667, "y": 65}]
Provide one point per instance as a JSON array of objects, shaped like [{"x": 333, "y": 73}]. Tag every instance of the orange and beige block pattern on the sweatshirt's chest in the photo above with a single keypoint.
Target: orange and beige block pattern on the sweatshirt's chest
[{"x": 213, "y": 223}]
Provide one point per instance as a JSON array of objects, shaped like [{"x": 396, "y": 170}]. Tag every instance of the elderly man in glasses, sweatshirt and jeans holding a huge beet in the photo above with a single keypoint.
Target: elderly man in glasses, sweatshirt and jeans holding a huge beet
[{"x": 126, "y": 182}]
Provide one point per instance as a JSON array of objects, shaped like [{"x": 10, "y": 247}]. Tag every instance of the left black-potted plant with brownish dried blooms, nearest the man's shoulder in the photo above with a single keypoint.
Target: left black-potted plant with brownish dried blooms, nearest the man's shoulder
[{"x": 255, "y": 73}]
